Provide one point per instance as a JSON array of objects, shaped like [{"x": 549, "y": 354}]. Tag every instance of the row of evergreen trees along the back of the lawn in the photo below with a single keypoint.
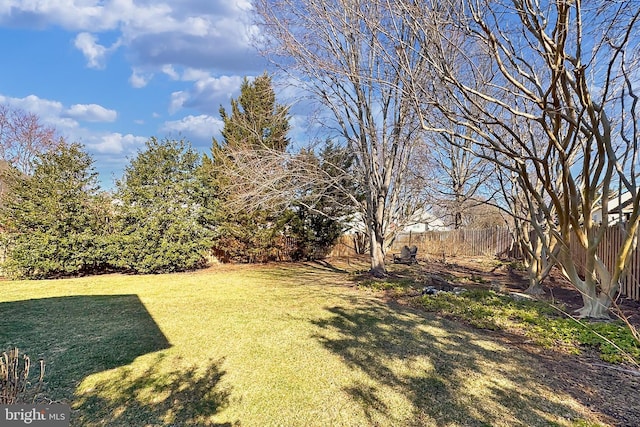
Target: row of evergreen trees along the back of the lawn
[{"x": 171, "y": 207}]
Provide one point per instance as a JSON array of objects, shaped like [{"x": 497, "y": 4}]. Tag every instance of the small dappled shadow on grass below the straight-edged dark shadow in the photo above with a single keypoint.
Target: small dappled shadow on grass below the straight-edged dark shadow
[{"x": 176, "y": 395}]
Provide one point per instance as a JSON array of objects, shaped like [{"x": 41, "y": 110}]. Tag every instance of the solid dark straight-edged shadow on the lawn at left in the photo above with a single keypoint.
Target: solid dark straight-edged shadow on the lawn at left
[{"x": 79, "y": 335}]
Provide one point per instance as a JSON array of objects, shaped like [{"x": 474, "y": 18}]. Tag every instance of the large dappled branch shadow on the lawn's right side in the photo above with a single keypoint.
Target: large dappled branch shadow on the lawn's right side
[{"x": 450, "y": 375}]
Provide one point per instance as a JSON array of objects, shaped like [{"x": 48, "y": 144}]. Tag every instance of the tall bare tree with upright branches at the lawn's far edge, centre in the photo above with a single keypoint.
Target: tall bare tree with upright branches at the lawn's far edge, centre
[{"x": 338, "y": 50}]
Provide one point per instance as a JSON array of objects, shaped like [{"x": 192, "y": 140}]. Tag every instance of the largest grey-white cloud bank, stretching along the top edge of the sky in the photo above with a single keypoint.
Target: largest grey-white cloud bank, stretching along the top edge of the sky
[{"x": 190, "y": 33}]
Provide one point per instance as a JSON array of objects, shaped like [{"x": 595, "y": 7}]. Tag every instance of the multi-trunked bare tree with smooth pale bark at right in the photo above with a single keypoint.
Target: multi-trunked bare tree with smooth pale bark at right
[{"x": 566, "y": 68}]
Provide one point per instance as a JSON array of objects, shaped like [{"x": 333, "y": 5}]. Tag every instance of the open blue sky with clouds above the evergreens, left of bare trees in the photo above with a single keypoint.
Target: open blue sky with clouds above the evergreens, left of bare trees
[{"x": 109, "y": 74}]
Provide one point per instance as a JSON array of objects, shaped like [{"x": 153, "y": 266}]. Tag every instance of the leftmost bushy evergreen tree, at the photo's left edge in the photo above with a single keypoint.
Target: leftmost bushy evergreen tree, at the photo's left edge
[{"x": 55, "y": 220}]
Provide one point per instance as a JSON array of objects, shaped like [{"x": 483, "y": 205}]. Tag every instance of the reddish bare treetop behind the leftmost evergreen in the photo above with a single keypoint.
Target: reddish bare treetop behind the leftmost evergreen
[{"x": 22, "y": 137}]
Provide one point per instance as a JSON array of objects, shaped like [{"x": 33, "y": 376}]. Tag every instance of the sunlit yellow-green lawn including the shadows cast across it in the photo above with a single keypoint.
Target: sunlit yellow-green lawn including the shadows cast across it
[{"x": 286, "y": 345}]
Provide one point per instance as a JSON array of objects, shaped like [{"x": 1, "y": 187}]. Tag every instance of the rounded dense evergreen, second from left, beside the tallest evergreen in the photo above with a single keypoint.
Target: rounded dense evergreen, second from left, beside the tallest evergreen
[{"x": 162, "y": 210}]
